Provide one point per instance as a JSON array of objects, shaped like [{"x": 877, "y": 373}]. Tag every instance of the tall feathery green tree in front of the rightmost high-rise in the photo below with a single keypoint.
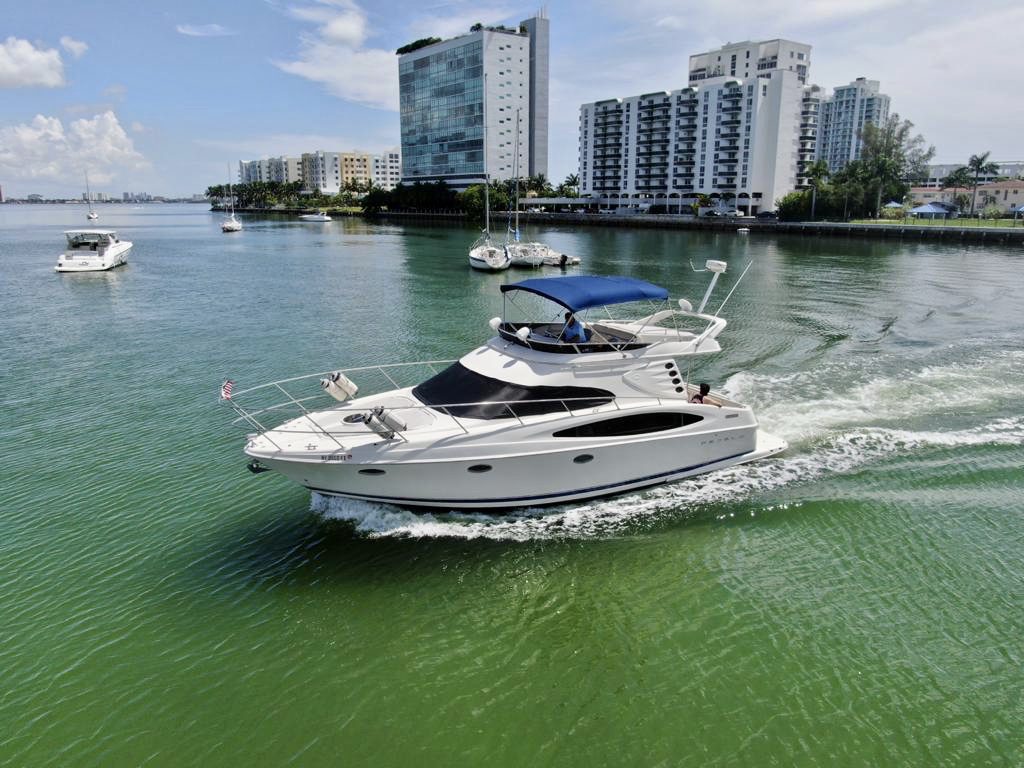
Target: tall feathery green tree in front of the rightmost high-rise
[{"x": 892, "y": 157}]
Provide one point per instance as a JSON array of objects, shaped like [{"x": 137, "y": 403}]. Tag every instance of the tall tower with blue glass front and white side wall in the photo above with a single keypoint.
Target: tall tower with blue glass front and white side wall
[{"x": 449, "y": 89}]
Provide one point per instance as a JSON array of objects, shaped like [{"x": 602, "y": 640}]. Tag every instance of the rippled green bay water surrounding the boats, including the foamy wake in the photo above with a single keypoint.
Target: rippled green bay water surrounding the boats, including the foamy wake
[{"x": 859, "y": 602}]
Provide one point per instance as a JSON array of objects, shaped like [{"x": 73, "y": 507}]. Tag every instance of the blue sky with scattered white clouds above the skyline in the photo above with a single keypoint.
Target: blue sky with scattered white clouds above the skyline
[{"x": 161, "y": 98}]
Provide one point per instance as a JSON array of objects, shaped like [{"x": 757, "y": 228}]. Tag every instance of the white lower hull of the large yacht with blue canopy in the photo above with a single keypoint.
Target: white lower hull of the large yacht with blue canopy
[{"x": 574, "y": 474}]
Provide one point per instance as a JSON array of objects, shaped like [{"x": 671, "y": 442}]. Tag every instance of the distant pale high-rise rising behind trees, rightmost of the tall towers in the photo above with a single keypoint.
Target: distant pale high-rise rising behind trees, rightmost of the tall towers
[{"x": 843, "y": 117}]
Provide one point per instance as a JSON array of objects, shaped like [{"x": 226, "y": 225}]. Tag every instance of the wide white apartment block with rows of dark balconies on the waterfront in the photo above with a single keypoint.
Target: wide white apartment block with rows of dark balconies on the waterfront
[{"x": 741, "y": 133}]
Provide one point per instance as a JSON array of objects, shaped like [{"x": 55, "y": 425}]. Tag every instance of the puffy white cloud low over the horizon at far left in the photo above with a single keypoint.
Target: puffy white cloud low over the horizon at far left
[{"x": 46, "y": 150}]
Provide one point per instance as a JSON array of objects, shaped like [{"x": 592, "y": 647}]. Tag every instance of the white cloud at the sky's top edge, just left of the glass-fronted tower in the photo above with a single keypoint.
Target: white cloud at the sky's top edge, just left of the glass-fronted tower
[{"x": 335, "y": 57}]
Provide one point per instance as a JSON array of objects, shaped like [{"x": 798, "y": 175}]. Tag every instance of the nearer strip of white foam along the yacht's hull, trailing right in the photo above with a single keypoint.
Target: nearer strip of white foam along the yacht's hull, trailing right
[{"x": 835, "y": 455}]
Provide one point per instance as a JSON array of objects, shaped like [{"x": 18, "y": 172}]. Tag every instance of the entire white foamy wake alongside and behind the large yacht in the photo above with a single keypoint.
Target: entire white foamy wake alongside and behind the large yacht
[{"x": 833, "y": 433}]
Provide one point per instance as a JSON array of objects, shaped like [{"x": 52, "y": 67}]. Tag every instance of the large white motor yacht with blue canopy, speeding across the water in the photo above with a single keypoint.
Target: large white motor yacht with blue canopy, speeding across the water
[{"x": 527, "y": 419}]
